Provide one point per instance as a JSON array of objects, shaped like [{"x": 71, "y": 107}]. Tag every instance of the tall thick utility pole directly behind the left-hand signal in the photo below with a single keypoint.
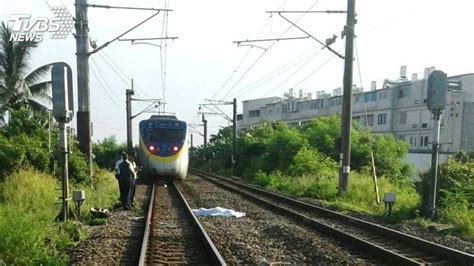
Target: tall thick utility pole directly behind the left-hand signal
[{"x": 83, "y": 83}]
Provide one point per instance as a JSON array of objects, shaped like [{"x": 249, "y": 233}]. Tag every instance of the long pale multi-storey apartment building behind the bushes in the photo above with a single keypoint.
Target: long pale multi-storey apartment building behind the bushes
[{"x": 398, "y": 107}]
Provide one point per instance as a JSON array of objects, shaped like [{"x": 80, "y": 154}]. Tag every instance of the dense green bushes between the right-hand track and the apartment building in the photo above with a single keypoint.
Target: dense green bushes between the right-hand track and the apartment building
[{"x": 273, "y": 146}]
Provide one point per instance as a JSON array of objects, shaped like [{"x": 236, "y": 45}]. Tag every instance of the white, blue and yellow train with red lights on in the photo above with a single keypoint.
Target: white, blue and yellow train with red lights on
[{"x": 163, "y": 148}]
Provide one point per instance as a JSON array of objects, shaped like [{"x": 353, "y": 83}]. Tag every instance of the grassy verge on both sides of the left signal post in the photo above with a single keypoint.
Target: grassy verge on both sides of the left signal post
[{"x": 28, "y": 207}]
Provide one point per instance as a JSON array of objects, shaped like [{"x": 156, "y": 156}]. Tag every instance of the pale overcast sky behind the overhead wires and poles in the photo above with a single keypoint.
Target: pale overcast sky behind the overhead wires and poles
[{"x": 205, "y": 63}]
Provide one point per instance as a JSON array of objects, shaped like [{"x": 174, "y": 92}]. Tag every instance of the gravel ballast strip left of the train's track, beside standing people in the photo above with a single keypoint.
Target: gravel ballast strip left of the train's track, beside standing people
[{"x": 118, "y": 241}]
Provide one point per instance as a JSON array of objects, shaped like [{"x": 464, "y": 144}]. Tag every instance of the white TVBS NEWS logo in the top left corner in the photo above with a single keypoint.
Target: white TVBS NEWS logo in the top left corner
[{"x": 27, "y": 28}]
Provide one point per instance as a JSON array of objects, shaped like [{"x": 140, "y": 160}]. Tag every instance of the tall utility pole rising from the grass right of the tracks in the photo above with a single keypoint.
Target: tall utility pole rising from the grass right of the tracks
[{"x": 345, "y": 154}]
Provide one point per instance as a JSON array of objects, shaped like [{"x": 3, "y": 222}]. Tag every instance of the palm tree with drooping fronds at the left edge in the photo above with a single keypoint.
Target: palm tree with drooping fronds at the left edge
[{"x": 18, "y": 87}]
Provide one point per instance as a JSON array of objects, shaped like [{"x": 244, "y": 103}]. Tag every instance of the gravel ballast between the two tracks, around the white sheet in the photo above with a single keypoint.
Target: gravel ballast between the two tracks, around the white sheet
[{"x": 261, "y": 237}]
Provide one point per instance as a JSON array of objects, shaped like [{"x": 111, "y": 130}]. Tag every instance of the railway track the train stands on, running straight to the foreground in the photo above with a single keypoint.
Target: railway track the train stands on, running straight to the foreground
[{"x": 173, "y": 235}]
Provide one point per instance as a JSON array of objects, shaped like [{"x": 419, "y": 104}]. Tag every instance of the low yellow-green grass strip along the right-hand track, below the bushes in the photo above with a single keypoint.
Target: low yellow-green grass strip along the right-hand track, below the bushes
[{"x": 360, "y": 196}]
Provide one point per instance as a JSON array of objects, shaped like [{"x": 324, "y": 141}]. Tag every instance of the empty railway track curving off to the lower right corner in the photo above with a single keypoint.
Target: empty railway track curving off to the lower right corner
[{"x": 384, "y": 243}]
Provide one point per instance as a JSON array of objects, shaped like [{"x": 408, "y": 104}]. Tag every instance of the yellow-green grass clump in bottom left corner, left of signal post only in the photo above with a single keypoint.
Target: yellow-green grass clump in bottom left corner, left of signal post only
[{"x": 27, "y": 210}]
